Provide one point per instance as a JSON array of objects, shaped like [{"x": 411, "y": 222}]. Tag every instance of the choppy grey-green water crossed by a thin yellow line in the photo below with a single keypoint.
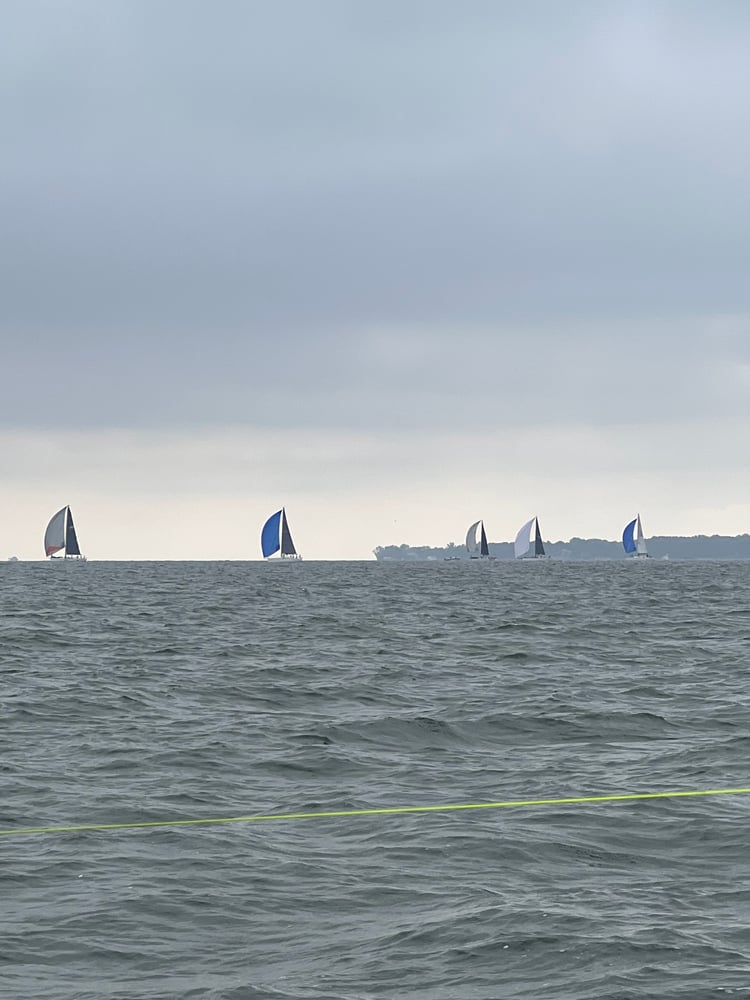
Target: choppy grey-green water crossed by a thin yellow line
[{"x": 142, "y": 691}]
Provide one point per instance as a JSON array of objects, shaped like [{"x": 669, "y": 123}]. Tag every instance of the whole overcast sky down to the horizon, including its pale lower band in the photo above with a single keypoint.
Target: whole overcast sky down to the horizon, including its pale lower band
[{"x": 396, "y": 265}]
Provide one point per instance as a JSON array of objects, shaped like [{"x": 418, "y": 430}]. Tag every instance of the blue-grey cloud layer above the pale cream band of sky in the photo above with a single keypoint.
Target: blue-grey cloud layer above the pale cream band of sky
[{"x": 373, "y": 214}]
